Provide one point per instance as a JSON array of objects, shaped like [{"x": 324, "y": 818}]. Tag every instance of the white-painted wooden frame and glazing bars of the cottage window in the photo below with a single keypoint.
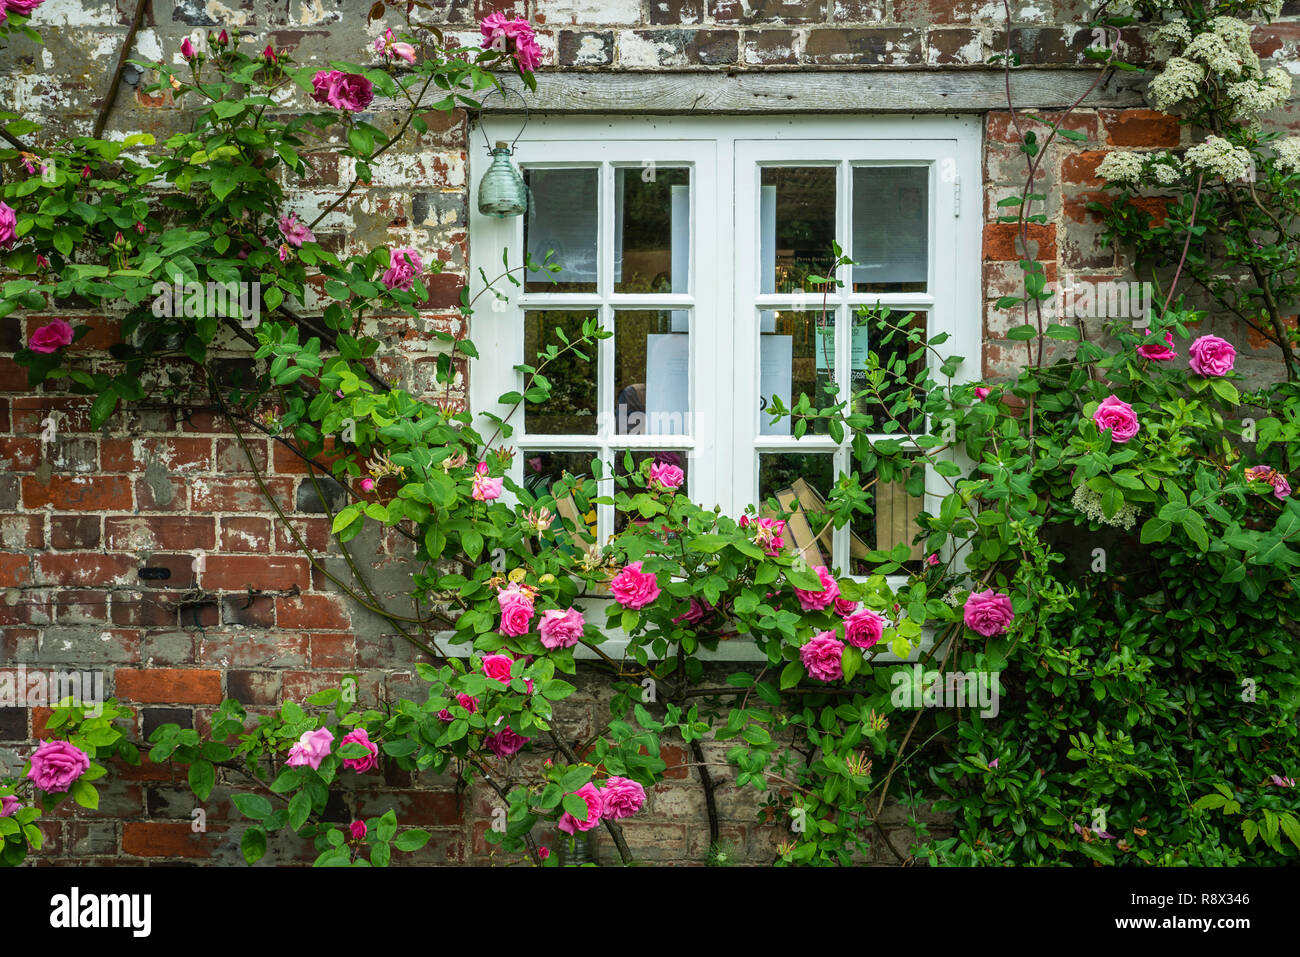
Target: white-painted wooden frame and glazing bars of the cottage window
[{"x": 726, "y": 154}]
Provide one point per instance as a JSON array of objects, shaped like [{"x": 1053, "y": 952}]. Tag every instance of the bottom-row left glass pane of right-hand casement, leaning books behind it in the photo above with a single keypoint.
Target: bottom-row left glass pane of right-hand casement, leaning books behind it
[{"x": 800, "y": 483}]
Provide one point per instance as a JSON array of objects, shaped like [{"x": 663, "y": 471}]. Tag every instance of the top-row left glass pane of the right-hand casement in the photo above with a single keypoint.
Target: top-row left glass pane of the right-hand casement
[{"x": 798, "y": 226}]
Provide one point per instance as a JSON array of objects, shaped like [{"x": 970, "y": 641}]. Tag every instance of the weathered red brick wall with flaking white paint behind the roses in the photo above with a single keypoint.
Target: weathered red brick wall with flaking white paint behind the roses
[{"x": 83, "y": 517}]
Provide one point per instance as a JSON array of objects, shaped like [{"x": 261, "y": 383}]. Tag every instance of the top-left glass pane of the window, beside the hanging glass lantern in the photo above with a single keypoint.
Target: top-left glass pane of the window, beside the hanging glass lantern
[{"x": 562, "y": 219}]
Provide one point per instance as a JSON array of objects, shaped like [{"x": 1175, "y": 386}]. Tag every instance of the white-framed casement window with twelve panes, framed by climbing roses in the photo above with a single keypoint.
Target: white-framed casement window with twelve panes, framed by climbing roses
[{"x": 692, "y": 240}]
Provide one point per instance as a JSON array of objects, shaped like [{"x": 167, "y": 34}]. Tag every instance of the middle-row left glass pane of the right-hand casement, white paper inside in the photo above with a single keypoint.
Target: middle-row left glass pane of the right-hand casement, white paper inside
[{"x": 796, "y": 357}]
